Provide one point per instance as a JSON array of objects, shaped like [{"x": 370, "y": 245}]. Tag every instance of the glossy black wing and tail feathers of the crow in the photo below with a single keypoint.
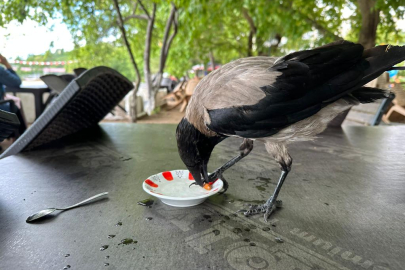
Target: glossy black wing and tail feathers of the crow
[{"x": 306, "y": 82}]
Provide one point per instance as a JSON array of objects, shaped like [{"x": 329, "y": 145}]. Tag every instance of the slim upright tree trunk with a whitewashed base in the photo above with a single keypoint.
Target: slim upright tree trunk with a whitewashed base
[{"x": 150, "y": 103}]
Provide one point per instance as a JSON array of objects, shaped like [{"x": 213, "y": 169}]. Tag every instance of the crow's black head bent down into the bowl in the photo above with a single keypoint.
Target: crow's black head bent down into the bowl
[{"x": 195, "y": 149}]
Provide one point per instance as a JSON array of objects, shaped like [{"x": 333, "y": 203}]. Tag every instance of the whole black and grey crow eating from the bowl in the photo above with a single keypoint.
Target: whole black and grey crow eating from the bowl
[{"x": 278, "y": 101}]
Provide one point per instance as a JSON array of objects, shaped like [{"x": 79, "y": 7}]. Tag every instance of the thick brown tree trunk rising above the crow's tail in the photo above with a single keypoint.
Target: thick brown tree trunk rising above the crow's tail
[{"x": 370, "y": 17}]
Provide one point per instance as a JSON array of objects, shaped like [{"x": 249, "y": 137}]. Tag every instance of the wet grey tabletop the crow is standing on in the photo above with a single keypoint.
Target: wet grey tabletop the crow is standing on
[{"x": 343, "y": 205}]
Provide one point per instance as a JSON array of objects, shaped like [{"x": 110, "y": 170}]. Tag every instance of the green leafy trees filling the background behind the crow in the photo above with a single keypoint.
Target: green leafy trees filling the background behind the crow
[{"x": 165, "y": 36}]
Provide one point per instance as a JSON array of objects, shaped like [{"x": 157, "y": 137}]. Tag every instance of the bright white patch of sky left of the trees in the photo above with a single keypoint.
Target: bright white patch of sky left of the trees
[{"x": 31, "y": 38}]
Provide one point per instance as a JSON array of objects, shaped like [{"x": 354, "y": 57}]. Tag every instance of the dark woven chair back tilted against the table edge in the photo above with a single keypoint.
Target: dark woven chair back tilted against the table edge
[{"x": 82, "y": 104}]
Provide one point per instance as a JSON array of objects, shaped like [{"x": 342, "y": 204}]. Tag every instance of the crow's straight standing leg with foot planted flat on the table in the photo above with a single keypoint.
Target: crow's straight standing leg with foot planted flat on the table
[{"x": 281, "y": 155}]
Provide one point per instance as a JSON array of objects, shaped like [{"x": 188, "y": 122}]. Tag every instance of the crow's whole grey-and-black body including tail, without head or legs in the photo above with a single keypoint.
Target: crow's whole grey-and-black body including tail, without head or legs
[{"x": 260, "y": 97}]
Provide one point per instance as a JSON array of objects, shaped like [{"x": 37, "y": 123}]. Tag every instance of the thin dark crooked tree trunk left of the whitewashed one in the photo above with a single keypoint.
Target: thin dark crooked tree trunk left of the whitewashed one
[{"x": 132, "y": 111}]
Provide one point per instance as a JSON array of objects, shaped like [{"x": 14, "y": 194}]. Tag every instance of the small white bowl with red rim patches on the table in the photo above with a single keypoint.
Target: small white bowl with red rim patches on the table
[{"x": 172, "y": 188}]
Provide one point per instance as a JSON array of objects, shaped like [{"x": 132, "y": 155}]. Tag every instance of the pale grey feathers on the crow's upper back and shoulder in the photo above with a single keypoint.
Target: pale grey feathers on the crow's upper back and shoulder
[{"x": 234, "y": 84}]
